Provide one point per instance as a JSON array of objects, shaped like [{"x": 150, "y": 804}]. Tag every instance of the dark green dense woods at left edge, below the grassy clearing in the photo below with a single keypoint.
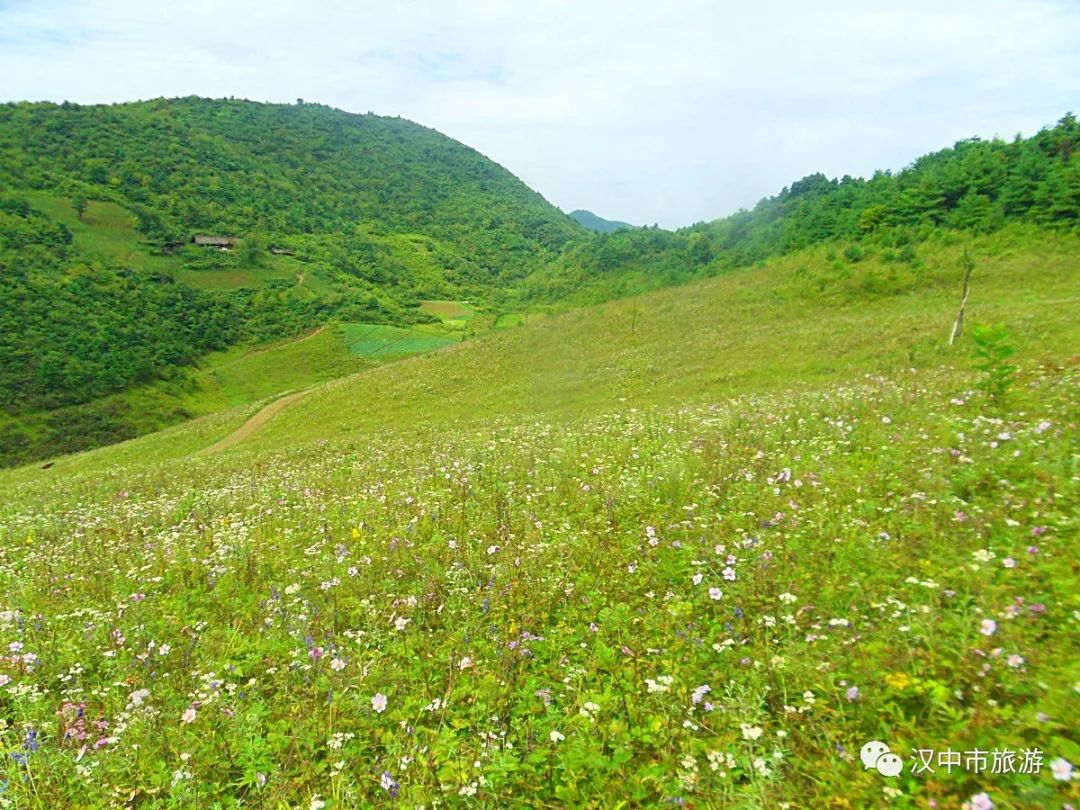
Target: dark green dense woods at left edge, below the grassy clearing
[{"x": 71, "y": 337}]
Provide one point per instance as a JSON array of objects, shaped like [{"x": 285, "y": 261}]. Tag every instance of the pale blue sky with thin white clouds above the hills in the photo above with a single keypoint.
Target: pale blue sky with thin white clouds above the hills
[{"x": 669, "y": 113}]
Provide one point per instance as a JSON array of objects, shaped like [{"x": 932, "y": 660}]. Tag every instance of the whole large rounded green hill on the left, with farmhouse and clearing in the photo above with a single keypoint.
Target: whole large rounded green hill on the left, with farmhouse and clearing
[{"x": 357, "y": 219}]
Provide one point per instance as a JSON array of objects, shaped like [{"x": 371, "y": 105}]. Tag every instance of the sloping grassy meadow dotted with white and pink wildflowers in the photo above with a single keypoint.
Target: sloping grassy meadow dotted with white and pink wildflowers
[{"x": 692, "y": 549}]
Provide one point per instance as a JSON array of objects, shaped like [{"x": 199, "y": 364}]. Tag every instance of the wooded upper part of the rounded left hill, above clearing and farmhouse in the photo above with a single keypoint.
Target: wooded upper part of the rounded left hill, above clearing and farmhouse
[{"x": 197, "y": 165}]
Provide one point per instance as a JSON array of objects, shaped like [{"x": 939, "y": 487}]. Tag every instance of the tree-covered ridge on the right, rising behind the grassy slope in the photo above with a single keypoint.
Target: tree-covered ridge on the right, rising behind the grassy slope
[{"x": 974, "y": 186}]
